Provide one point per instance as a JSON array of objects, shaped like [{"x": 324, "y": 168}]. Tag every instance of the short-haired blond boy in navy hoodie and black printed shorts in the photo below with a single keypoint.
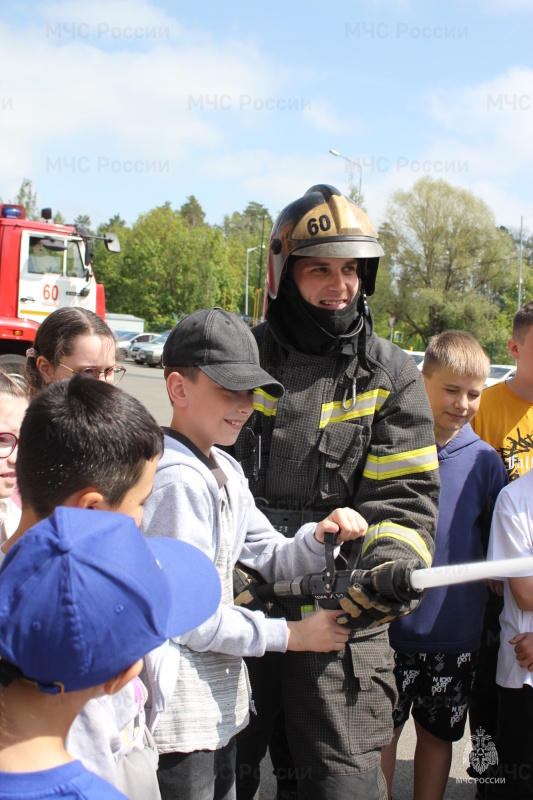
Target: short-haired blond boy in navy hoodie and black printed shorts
[{"x": 436, "y": 646}]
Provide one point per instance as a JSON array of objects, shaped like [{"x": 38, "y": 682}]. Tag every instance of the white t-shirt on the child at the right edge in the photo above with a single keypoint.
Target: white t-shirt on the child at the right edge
[{"x": 511, "y": 536}]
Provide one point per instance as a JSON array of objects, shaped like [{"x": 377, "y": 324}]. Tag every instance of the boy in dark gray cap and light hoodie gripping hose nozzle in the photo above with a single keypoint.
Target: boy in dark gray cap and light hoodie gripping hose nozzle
[{"x": 200, "y": 698}]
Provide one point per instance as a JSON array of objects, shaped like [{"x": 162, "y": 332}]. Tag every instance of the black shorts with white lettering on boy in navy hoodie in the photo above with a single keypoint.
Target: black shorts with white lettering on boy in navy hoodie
[{"x": 437, "y": 686}]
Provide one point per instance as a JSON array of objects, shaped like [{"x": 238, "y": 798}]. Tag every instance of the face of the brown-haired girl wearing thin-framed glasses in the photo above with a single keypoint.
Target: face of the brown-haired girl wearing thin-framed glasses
[{"x": 87, "y": 352}]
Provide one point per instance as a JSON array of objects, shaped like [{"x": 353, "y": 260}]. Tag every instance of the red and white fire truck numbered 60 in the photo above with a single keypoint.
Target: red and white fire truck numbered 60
[{"x": 43, "y": 266}]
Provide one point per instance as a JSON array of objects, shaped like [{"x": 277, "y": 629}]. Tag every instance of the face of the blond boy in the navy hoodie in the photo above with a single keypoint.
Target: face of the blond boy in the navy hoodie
[{"x": 454, "y": 401}]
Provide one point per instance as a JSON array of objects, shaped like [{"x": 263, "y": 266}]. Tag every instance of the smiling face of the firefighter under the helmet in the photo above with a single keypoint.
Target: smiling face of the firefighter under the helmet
[{"x": 329, "y": 283}]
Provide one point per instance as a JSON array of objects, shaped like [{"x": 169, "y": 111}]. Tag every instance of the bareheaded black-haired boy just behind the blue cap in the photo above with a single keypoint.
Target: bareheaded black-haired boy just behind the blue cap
[{"x": 78, "y": 447}]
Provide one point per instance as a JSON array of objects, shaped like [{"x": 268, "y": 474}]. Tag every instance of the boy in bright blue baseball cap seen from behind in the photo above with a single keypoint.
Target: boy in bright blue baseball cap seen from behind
[{"x": 82, "y": 598}]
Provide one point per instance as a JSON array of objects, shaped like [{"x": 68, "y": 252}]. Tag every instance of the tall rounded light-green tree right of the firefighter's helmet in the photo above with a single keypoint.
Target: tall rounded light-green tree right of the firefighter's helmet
[{"x": 450, "y": 265}]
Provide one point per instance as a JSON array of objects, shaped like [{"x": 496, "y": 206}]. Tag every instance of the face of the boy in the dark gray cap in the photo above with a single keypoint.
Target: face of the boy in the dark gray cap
[{"x": 218, "y": 414}]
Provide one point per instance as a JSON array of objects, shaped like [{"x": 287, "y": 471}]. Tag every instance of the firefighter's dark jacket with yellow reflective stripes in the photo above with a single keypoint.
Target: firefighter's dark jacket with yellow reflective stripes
[{"x": 344, "y": 435}]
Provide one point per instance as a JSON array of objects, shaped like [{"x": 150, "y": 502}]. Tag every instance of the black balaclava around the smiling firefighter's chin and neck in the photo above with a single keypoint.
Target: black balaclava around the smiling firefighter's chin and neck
[{"x": 297, "y": 324}]
